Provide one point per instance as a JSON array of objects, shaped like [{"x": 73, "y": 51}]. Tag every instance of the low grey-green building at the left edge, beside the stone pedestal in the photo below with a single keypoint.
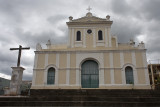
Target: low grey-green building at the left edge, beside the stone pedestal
[{"x": 3, "y": 84}]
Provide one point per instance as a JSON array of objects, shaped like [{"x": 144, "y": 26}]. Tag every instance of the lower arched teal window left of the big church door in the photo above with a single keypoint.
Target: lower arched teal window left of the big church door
[{"x": 51, "y": 76}]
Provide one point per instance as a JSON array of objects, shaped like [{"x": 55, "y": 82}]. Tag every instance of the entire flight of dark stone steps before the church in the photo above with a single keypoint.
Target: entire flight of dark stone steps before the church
[{"x": 86, "y": 97}]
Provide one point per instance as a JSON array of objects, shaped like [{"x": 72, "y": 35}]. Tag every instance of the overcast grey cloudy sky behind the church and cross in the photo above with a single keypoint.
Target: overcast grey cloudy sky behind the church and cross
[{"x": 28, "y": 22}]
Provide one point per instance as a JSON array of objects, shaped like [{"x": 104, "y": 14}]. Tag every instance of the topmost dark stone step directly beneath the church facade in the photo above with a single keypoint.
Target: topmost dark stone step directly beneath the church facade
[{"x": 96, "y": 92}]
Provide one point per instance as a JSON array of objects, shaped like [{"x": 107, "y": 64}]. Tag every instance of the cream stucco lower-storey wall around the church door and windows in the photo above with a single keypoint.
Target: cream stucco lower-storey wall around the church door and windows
[{"x": 103, "y": 58}]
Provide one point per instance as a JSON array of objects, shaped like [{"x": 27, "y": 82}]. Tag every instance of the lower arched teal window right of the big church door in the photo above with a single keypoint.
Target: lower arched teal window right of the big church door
[{"x": 129, "y": 75}]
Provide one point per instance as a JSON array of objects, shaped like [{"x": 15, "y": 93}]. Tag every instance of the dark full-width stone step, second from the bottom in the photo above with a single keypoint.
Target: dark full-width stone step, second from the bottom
[{"x": 86, "y": 98}]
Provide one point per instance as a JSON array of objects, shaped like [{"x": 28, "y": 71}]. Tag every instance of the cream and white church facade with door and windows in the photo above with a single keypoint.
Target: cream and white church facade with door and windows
[{"x": 92, "y": 59}]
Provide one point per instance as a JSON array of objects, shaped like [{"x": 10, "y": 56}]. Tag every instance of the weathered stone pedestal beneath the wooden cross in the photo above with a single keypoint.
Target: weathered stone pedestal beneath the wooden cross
[{"x": 16, "y": 80}]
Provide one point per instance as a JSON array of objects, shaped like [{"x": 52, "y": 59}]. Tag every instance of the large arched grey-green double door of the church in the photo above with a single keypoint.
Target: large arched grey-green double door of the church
[{"x": 90, "y": 74}]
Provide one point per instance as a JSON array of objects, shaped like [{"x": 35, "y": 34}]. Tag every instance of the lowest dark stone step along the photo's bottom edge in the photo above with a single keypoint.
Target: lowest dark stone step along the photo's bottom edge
[{"x": 81, "y": 103}]
